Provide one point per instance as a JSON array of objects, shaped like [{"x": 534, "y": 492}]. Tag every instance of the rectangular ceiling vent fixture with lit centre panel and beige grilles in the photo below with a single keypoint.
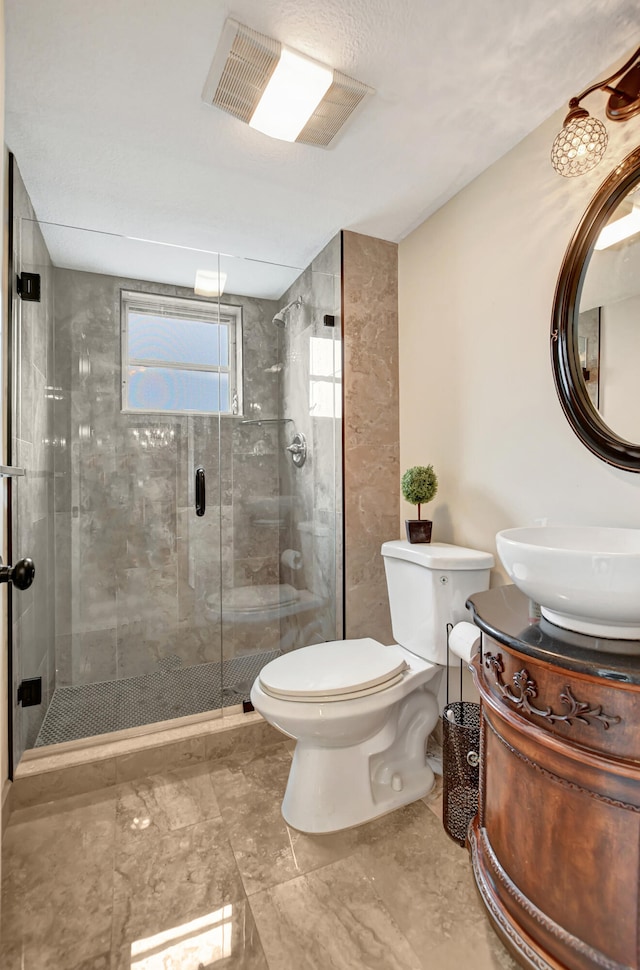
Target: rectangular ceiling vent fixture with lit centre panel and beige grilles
[{"x": 278, "y": 90}]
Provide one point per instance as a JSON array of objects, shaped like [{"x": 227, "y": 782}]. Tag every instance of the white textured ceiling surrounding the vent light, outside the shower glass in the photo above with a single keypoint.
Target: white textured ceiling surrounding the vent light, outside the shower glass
[{"x": 105, "y": 117}]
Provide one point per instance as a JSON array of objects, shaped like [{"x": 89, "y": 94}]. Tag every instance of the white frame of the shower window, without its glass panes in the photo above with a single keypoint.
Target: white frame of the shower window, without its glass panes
[{"x": 187, "y": 308}]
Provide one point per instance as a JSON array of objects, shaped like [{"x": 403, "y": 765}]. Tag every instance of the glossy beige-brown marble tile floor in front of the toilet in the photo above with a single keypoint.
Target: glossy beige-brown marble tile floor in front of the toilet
[{"x": 195, "y": 869}]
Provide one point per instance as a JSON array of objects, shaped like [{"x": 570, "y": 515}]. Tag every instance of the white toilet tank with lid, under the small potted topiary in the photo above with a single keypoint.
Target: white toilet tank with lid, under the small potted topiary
[{"x": 428, "y": 585}]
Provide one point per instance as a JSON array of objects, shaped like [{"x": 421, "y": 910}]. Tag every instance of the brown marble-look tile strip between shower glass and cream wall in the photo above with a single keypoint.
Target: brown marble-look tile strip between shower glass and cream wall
[{"x": 371, "y": 427}]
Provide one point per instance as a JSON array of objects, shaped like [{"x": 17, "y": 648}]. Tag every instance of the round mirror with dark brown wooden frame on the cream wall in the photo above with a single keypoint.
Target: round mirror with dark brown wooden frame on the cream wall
[{"x": 595, "y": 331}]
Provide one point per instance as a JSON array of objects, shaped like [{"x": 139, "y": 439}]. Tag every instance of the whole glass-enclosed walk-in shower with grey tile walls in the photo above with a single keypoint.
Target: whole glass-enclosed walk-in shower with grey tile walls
[{"x": 179, "y": 540}]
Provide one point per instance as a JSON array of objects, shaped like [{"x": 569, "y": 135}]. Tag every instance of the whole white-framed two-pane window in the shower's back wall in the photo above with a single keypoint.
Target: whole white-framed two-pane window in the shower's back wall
[{"x": 180, "y": 355}]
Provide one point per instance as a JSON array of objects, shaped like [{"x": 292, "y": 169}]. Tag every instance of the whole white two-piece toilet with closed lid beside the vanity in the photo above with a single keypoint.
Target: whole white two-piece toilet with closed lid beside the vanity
[{"x": 361, "y": 712}]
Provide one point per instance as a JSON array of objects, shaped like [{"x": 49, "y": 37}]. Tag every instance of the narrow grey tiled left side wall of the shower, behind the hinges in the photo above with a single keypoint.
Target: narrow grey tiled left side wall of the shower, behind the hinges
[{"x": 32, "y": 448}]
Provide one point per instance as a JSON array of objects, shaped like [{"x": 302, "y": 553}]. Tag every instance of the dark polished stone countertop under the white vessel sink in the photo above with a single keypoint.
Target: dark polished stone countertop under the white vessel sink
[{"x": 504, "y": 614}]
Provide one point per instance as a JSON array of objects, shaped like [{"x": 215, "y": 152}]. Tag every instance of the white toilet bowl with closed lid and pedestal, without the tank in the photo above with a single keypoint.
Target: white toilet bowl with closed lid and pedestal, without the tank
[{"x": 342, "y": 736}]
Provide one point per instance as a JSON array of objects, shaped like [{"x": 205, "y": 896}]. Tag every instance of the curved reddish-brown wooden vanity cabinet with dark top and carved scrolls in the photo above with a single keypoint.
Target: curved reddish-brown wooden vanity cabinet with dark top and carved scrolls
[{"x": 556, "y": 843}]
